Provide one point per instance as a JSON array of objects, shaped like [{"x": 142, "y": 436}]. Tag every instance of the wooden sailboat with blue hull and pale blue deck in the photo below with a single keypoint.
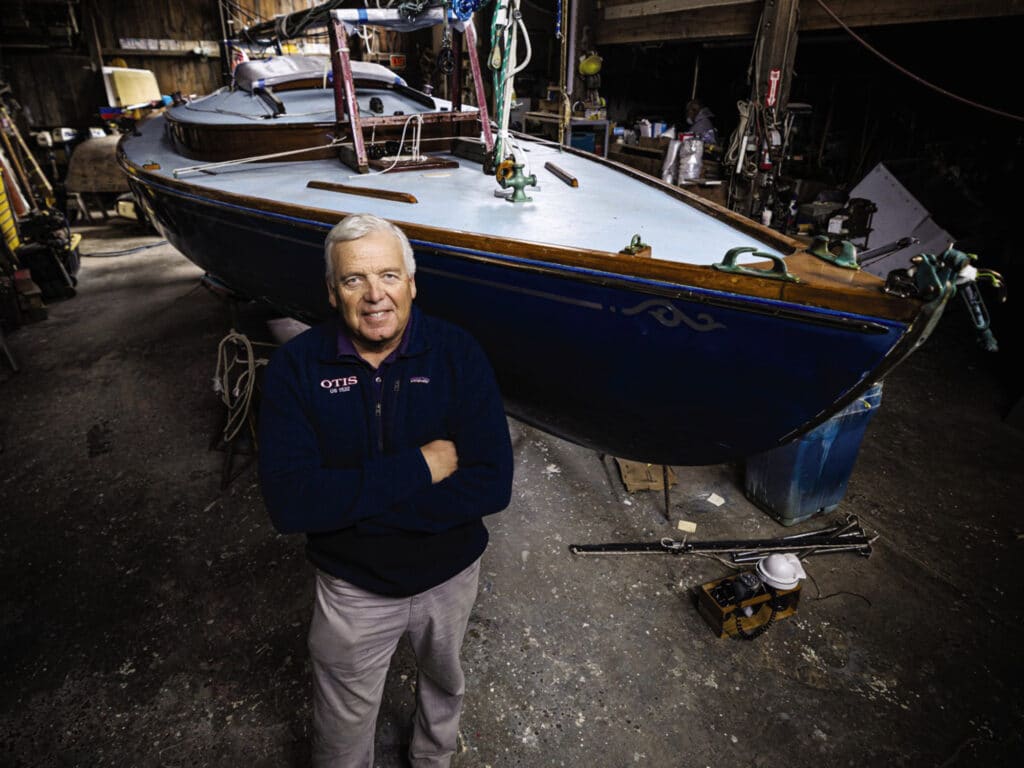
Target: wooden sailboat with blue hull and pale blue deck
[{"x": 619, "y": 312}]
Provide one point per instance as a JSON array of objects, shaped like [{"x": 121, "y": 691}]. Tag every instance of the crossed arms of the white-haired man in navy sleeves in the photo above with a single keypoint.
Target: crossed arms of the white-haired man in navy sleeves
[{"x": 431, "y": 489}]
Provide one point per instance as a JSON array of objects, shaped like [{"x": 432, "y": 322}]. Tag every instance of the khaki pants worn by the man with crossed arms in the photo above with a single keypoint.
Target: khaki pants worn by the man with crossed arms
[{"x": 353, "y": 637}]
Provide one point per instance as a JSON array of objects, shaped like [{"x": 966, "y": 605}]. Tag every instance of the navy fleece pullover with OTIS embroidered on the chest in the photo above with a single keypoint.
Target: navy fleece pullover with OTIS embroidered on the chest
[{"x": 347, "y": 470}]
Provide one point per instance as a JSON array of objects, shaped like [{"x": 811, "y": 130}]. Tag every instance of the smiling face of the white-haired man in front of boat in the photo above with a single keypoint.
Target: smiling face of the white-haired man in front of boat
[{"x": 374, "y": 293}]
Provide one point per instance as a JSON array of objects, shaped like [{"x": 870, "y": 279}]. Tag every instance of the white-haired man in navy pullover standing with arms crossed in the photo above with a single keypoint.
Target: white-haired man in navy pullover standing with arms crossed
[{"x": 383, "y": 439}]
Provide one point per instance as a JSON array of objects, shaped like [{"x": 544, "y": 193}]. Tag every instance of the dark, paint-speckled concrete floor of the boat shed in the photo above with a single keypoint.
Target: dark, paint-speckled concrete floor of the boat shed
[{"x": 152, "y": 619}]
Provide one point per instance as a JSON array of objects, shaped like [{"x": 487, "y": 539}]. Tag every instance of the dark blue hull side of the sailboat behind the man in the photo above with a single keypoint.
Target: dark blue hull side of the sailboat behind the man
[{"x": 638, "y": 369}]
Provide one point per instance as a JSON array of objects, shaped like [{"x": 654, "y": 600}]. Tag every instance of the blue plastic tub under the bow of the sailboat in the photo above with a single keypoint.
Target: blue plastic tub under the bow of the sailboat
[{"x": 808, "y": 477}]
